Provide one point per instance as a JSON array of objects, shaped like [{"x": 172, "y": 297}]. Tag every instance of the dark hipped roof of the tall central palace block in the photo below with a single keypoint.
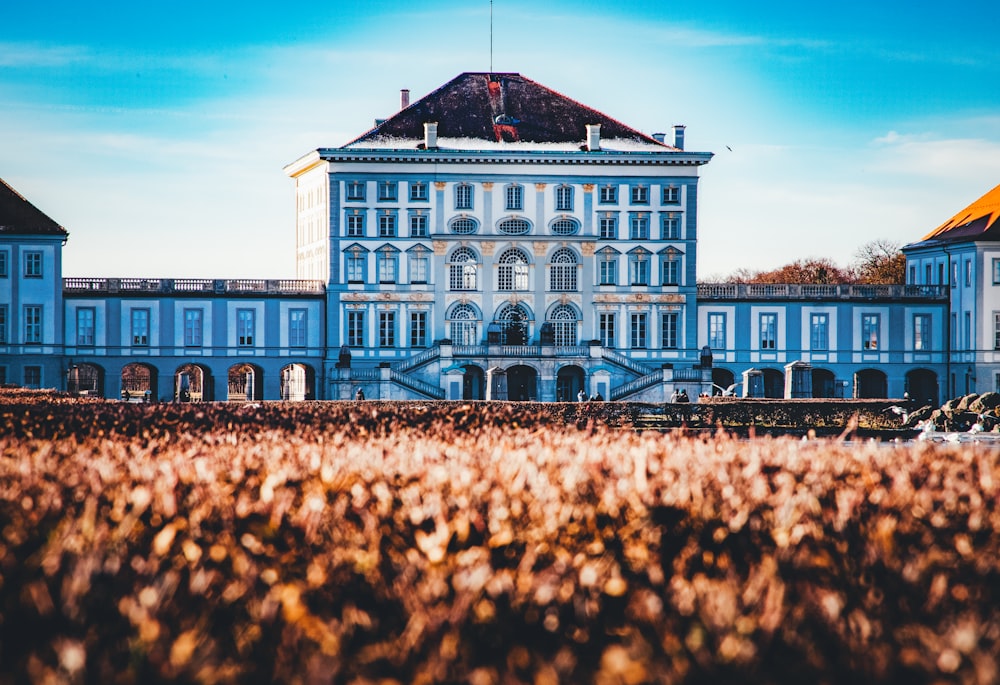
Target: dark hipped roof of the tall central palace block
[{"x": 500, "y": 108}]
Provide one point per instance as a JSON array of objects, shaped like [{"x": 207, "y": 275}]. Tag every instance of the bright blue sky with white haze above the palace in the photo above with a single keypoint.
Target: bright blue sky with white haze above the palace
[{"x": 156, "y": 133}]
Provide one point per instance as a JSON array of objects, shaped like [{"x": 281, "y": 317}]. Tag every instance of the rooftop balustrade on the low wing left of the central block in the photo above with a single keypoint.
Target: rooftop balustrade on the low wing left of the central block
[{"x": 219, "y": 286}]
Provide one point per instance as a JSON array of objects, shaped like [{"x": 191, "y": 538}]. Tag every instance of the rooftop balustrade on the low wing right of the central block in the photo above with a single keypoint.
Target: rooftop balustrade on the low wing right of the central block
[{"x": 818, "y": 291}]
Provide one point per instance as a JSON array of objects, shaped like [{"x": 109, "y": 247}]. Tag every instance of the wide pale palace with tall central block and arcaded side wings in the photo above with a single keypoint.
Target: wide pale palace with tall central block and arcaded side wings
[{"x": 495, "y": 239}]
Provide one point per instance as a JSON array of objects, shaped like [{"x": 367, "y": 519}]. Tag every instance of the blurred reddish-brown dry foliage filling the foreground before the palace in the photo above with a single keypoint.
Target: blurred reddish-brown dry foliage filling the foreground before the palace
[{"x": 483, "y": 544}]
